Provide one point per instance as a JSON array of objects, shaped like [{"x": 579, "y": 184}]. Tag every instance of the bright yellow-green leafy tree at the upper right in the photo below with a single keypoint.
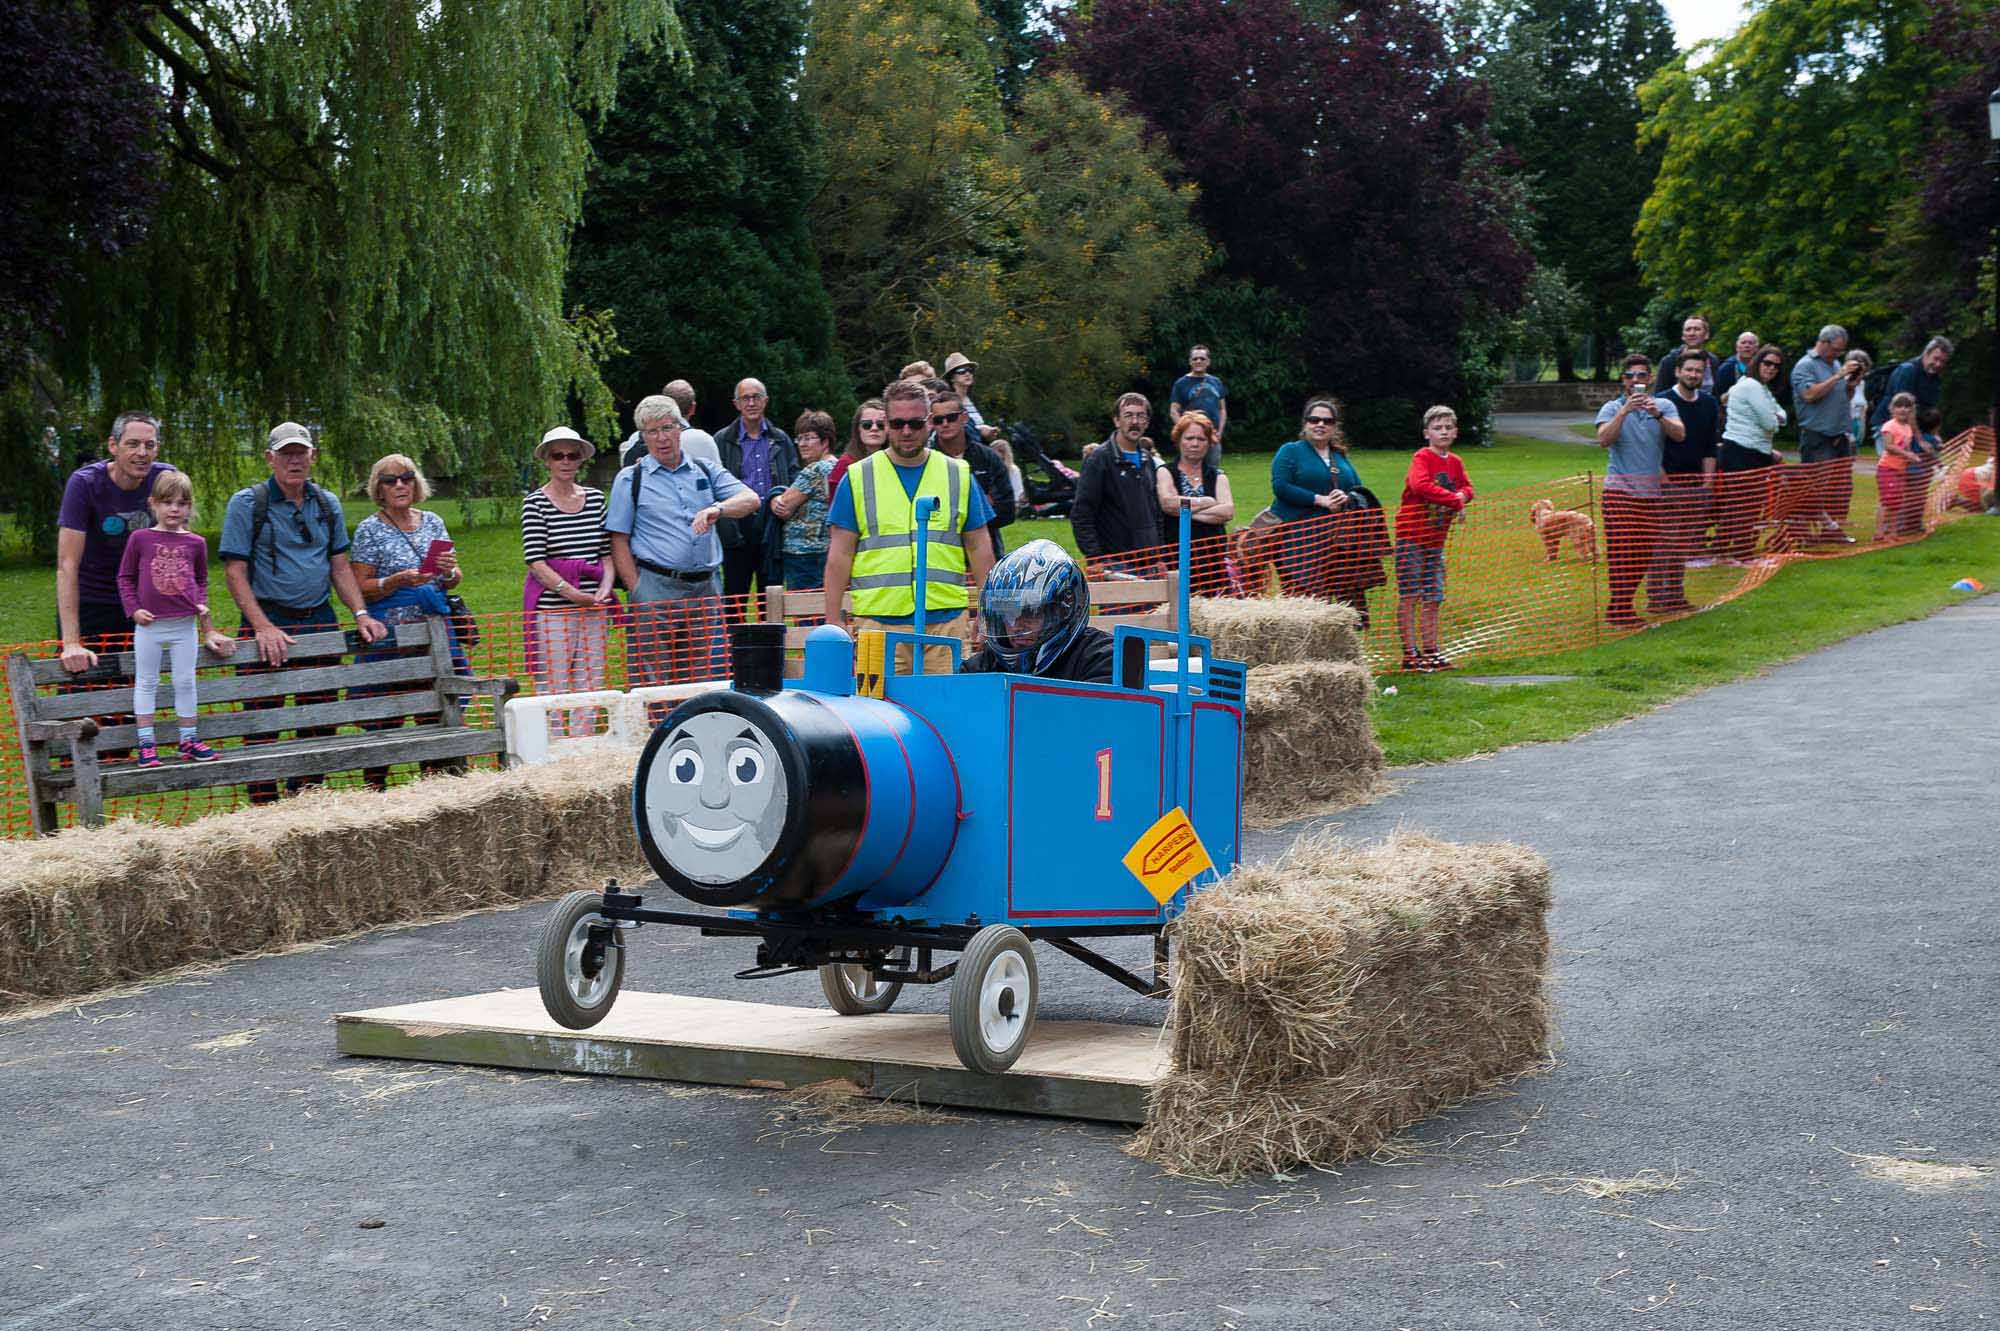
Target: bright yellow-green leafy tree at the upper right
[{"x": 1783, "y": 149}]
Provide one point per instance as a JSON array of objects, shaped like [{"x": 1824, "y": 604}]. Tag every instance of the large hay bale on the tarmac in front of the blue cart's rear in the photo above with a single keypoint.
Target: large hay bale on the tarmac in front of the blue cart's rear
[{"x": 1329, "y": 1000}]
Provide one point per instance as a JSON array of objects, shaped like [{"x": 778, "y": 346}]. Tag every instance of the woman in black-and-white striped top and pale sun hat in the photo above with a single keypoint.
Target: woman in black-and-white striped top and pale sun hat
[{"x": 569, "y": 589}]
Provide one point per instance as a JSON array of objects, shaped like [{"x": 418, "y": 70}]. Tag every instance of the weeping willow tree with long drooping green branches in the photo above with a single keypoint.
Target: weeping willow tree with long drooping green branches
[{"x": 365, "y": 225}]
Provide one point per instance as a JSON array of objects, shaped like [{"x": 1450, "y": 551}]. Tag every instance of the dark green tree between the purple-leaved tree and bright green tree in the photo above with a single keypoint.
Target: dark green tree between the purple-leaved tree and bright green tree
[{"x": 1567, "y": 77}]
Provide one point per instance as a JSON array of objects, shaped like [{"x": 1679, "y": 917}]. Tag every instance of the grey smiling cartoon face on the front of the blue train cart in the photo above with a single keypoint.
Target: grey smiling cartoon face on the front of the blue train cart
[{"x": 717, "y": 798}]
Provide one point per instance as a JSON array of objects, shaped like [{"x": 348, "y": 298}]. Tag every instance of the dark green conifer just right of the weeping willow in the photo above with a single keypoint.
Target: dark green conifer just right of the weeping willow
[{"x": 695, "y": 225}]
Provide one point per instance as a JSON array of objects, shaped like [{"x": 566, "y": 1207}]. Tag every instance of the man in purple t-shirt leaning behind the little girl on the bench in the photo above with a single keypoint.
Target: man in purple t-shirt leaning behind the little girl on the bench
[{"x": 103, "y": 505}]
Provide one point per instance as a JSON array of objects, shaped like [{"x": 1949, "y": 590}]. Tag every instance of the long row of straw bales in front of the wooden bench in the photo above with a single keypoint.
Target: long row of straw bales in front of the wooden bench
[{"x": 97, "y": 906}]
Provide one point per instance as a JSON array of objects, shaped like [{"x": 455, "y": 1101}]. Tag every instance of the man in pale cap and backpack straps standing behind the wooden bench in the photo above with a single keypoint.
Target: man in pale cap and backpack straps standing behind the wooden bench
[{"x": 285, "y": 549}]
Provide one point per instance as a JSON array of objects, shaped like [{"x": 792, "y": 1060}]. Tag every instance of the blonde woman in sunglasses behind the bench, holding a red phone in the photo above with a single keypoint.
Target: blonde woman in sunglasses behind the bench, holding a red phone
[{"x": 405, "y": 565}]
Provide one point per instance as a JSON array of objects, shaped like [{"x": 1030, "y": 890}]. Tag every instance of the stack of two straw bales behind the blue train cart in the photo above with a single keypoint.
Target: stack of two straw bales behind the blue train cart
[{"x": 1309, "y": 746}]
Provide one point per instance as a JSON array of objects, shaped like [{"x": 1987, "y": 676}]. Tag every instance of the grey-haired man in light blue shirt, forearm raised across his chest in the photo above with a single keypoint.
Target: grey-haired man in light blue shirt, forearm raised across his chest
[{"x": 663, "y": 515}]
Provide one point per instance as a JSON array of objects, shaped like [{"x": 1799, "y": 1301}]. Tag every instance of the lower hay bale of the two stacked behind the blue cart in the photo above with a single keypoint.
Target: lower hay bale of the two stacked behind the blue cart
[{"x": 1309, "y": 746}]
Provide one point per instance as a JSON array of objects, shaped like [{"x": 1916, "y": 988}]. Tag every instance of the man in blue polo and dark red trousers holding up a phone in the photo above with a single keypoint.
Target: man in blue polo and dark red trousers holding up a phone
[{"x": 1635, "y": 429}]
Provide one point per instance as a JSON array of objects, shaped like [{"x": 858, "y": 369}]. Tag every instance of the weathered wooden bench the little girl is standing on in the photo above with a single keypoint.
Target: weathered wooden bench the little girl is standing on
[{"x": 63, "y": 740}]
